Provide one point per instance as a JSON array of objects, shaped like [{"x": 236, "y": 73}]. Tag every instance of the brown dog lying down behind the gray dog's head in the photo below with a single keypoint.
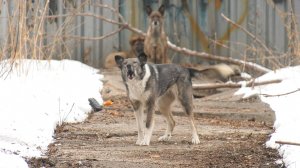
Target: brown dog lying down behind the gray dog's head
[{"x": 136, "y": 47}]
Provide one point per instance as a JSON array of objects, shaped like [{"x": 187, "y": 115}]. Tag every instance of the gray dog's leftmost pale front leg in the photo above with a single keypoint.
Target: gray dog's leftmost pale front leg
[{"x": 139, "y": 116}]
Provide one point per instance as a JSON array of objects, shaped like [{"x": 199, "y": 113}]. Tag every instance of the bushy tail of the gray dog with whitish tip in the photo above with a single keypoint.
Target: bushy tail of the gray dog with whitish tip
[{"x": 220, "y": 72}]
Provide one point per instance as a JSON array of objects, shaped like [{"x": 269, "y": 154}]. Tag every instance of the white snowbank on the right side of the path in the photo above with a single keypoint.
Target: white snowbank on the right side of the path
[{"x": 287, "y": 111}]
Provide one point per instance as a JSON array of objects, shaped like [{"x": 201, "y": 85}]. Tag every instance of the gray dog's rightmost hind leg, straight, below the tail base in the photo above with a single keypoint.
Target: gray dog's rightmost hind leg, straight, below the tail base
[{"x": 185, "y": 97}]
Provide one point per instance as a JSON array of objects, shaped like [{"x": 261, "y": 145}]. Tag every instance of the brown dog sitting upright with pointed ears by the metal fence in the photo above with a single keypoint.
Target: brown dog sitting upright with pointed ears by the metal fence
[{"x": 156, "y": 38}]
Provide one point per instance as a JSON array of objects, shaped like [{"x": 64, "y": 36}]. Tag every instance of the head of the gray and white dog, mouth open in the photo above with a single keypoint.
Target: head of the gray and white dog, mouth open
[{"x": 132, "y": 68}]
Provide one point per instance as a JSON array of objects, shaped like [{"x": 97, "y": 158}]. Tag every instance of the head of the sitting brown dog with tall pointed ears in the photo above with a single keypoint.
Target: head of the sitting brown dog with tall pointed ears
[{"x": 156, "y": 17}]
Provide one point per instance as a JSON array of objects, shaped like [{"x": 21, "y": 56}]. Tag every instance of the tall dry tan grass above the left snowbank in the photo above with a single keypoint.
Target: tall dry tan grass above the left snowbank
[{"x": 26, "y": 36}]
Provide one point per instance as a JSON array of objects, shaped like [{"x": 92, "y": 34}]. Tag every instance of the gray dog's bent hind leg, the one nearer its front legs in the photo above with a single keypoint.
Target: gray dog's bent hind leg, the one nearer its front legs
[{"x": 164, "y": 105}]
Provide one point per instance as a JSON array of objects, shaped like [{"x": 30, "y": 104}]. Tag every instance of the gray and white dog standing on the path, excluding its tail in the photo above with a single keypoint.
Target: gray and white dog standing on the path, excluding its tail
[{"x": 156, "y": 85}]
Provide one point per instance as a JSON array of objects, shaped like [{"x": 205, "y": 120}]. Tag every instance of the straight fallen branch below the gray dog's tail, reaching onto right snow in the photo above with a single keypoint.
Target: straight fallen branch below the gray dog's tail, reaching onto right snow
[{"x": 232, "y": 85}]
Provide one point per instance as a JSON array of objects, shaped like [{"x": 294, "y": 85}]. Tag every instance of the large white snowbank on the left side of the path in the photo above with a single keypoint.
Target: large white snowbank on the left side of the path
[{"x": 35, "y": 96}]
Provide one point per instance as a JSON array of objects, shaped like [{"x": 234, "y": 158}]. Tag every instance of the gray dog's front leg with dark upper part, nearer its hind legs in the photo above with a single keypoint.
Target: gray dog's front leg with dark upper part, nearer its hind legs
[{"x": 149, "y": 110}]
